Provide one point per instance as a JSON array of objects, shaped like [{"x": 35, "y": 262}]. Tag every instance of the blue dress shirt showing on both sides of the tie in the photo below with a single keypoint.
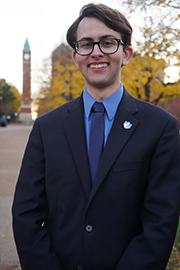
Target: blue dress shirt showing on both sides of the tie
[{"x": 110, "y": 104}]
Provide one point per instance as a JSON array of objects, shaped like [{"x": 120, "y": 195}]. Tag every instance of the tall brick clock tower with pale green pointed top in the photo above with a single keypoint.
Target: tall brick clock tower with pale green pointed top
[{"x": 25, "y": 115}]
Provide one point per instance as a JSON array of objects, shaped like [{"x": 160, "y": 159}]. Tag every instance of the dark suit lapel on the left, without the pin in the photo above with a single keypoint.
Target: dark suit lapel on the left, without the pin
[{"x": 74, "y": 128}]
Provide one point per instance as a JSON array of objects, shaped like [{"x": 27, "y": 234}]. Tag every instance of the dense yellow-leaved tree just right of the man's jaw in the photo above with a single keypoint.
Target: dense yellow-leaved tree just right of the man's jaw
[{"x": 144, "y": 79}]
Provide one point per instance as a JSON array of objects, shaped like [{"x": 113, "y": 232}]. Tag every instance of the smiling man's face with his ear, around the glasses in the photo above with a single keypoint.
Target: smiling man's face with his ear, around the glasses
[{"x": 100, "y": 70}]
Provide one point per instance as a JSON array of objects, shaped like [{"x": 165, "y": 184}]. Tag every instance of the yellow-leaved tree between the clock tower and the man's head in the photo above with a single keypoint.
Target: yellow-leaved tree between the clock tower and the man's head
[{"x": 63, "y": 83}]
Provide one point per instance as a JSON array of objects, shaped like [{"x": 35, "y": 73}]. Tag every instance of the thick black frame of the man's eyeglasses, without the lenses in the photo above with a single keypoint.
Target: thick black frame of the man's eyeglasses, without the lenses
[{"x": 98, "y": 43}]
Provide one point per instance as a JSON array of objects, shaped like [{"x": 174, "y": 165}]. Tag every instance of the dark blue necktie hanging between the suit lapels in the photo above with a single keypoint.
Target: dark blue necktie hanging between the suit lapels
[{"x": 96, "y": 139}]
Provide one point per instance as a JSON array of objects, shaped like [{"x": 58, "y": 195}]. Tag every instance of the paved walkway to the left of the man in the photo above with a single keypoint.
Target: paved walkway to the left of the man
[{"x": 13, "y": 139}]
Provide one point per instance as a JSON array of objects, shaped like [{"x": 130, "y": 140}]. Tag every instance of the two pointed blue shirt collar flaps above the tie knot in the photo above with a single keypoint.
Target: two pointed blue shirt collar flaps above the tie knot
[{"x": 110, "y": 104}]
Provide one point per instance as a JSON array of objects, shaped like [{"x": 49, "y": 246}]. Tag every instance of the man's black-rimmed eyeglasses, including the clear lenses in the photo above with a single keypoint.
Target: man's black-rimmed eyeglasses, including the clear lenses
[{"x": 106, "y": 46}]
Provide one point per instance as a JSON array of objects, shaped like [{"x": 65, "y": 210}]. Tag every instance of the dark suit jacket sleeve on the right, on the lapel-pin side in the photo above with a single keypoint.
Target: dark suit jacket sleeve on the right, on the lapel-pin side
[{"x": 151, "y": 249}]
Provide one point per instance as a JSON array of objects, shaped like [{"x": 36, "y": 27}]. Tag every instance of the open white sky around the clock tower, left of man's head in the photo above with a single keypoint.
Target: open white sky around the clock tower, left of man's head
[{"x": 44, "y": 23}]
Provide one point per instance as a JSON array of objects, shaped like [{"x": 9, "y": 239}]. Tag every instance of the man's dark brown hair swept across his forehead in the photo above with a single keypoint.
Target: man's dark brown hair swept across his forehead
[{"x": 112, "y": 18}]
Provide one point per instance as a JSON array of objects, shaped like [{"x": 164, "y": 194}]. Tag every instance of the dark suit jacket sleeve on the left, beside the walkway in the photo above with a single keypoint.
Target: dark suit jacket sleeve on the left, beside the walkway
[{"x": 30, "y": 210}]
